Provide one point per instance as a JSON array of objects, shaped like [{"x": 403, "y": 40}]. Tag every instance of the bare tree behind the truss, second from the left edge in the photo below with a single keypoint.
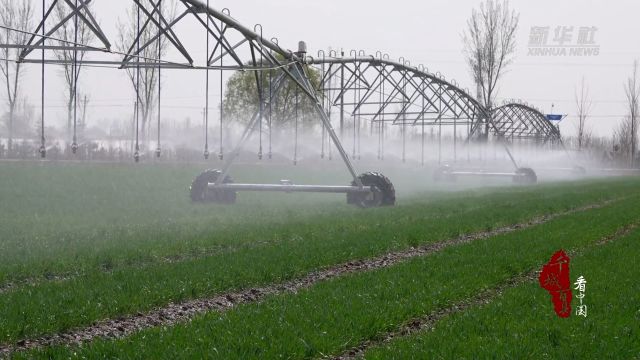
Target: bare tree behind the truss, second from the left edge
[{"x": 67, "y": 32}]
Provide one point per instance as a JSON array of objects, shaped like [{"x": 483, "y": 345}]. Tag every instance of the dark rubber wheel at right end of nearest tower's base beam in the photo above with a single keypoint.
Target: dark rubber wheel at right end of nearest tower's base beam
[{"x": 383, "y": 193}]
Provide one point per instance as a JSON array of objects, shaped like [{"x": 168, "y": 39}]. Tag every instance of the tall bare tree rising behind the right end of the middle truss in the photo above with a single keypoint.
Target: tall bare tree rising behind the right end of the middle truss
[{"x": 490, "y": 42}]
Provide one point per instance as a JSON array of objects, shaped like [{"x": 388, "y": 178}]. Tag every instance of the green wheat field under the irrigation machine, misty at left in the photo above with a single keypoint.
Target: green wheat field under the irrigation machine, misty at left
[{"x": 81, "y": 244}]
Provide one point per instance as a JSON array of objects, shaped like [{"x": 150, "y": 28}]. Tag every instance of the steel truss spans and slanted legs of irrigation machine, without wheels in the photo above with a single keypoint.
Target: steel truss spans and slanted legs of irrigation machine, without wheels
[{"x": 366, "y": 88}]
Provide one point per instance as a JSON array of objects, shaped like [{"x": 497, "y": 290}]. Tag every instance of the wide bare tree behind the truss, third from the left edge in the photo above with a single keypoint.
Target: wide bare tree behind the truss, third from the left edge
[{"x": 128, "y": 32}]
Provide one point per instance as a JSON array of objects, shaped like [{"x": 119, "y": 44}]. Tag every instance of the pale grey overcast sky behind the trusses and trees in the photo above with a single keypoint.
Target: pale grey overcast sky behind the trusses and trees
[{"x": 425, "y": 32}]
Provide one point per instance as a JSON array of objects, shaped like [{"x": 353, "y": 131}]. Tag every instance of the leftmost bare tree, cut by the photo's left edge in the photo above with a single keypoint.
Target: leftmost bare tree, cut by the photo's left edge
[{"x": 17, "y": 15}]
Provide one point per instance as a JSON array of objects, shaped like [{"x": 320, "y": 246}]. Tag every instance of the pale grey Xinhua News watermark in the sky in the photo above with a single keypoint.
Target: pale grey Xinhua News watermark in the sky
[{"x": 563, "y": 41}]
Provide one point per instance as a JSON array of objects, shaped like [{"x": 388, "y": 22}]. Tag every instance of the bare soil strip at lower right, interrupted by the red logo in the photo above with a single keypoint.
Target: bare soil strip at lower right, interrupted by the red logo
[{"x": 428, "y": 322}]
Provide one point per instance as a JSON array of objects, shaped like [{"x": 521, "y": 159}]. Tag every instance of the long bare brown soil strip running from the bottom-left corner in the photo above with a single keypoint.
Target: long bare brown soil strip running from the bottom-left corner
[{"x": 183, "y": 312}]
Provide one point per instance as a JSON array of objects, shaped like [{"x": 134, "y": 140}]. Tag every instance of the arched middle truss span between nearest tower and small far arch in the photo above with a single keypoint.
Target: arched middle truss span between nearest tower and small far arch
[{"x": 386, "y": 92}]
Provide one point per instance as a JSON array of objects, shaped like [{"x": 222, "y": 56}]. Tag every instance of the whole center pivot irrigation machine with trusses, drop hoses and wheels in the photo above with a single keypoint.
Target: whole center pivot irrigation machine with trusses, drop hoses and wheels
[{"x": 374, "y": 88}]
